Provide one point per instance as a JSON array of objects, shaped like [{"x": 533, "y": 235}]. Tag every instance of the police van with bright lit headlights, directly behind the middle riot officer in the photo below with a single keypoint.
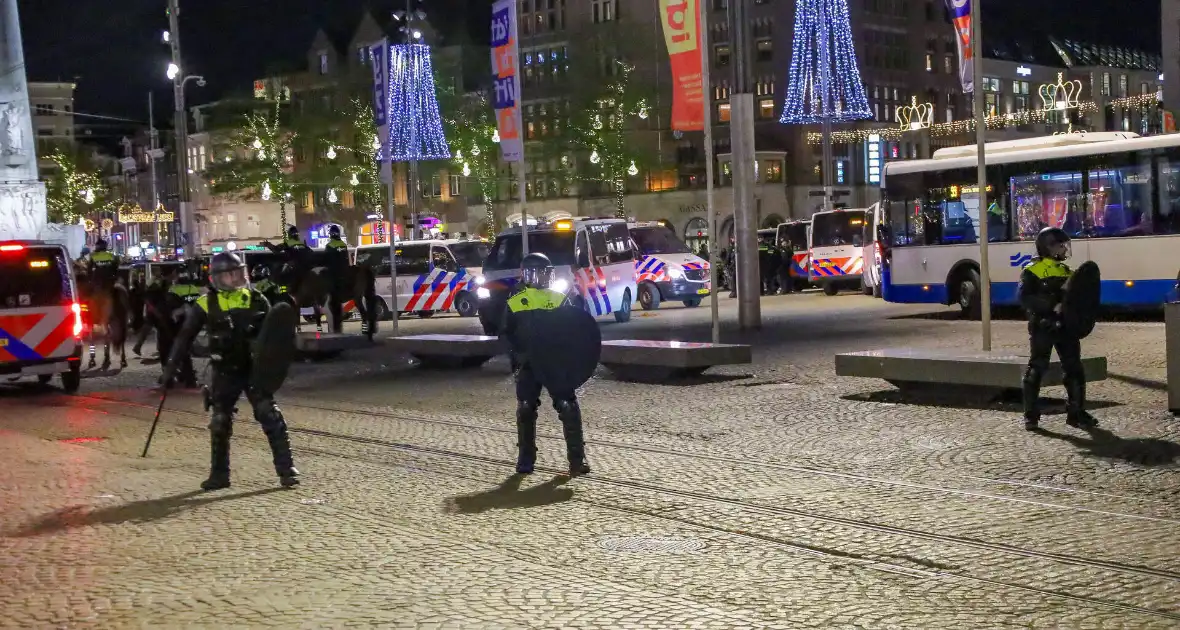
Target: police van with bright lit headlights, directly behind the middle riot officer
[{"x": 594, "y": 261}]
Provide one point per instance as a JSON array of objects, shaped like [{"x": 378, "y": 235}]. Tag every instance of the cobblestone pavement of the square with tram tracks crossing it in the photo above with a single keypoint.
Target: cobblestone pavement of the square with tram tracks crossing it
[{"x": 769, "y": 496}]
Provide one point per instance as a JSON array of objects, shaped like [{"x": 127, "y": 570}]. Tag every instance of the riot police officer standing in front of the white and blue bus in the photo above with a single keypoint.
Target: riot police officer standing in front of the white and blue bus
[{"x": 1041, "y": 294}]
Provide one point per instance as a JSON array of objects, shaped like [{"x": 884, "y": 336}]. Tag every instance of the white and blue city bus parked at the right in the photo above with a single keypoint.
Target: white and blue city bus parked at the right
[{"x": 1117, "y": 195}]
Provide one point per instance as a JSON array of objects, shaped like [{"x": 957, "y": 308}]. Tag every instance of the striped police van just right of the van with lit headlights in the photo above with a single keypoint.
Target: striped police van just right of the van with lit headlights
[{"x": 666, "y": 268}]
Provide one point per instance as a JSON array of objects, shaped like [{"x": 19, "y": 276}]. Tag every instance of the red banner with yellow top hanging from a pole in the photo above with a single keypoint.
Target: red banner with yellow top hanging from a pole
[{"x": 680, "y": 21}]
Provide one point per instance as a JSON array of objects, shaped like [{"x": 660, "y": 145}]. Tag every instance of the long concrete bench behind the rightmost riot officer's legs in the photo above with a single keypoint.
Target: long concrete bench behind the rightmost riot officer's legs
[{"x": 941, "y": 371}]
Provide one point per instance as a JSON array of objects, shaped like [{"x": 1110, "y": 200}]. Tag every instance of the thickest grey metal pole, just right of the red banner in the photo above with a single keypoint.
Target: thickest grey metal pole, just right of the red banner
[{"x": 742, "y": 127}]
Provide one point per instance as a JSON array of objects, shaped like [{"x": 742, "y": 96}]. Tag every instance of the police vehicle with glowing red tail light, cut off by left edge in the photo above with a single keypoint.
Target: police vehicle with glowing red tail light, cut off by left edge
[{"x": 41, "y": 314}]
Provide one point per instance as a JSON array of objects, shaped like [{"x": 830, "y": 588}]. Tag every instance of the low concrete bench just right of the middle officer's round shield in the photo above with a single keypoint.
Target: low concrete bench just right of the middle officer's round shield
[{"x": 641, "y": 360}]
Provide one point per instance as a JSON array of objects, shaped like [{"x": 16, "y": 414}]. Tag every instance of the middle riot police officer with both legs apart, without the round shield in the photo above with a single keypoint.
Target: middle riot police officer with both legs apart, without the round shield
[{"x": 529, "y": 307}]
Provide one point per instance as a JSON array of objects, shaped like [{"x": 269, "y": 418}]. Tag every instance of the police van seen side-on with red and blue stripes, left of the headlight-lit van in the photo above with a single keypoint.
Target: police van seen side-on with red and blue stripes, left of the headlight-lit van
[{"x": 432, "y": 275}]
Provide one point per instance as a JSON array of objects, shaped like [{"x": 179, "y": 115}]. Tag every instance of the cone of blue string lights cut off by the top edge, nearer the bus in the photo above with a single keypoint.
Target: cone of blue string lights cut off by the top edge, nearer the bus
[{"x": 825, "y": 81}]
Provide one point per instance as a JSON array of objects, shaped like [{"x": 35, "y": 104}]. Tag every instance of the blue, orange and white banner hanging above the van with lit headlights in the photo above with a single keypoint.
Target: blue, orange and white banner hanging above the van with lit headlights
[{"x": 506, "y": 81}]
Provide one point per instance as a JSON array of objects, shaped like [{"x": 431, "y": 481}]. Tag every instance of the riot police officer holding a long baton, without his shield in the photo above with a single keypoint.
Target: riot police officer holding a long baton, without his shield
[{"x": 234, "y": 316}]
